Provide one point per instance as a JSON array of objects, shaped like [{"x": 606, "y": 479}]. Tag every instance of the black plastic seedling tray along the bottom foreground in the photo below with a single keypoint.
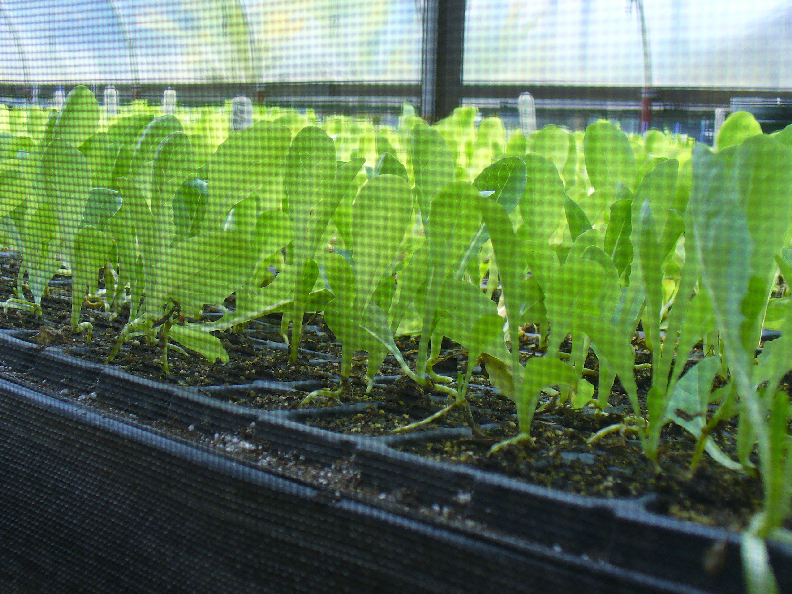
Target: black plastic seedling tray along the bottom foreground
[{"x": 92, "y": 503}]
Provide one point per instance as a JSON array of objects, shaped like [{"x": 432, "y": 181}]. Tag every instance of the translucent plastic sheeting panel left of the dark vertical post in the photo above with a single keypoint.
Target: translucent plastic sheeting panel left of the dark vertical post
[{"x": 200, "y": 41}]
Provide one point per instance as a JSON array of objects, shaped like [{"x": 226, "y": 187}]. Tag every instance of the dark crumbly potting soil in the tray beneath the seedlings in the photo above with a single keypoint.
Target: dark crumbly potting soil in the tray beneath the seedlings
[{"x": 559, "y": 456}]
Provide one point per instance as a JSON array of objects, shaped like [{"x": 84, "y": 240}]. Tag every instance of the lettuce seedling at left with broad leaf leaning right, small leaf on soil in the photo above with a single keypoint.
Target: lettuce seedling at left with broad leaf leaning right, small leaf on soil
[{"x": 180, "y": 276}]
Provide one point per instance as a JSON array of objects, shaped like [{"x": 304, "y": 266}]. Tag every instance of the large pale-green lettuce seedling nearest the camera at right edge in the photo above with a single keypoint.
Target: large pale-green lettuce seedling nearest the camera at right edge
[{"x": 736, "y": 246}]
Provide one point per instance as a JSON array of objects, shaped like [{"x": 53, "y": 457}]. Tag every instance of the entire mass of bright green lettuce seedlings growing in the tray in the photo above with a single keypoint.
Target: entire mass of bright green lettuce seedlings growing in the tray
[{"x": 455, "y": 230}]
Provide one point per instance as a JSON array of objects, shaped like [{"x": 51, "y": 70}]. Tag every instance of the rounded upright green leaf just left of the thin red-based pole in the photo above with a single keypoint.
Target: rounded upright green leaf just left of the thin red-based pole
[{"x": 609, "y": 157}]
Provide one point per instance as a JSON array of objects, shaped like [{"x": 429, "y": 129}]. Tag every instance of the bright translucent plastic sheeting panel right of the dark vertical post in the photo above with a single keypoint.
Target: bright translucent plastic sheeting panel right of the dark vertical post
[{"x": 693, "y": 43}]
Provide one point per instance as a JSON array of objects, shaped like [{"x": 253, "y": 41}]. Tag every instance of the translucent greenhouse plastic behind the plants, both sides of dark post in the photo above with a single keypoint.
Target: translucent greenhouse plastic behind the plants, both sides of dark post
[{"x": 703, "y": 44}]
